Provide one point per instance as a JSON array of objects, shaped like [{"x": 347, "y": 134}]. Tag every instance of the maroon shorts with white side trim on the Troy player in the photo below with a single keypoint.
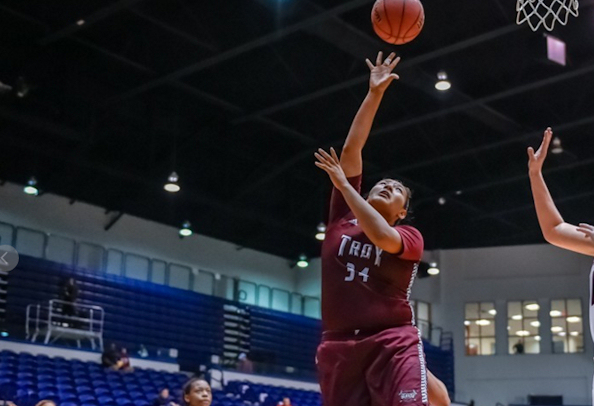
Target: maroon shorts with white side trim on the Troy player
[{"x": 380, "y": 369}]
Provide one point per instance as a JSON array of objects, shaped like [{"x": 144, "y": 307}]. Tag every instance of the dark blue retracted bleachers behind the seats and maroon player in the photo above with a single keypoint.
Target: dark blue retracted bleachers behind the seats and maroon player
[{"x": 158, "y": 316}]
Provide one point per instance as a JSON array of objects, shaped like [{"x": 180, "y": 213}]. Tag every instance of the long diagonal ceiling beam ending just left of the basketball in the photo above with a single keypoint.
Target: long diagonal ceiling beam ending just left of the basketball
[{"x": 244, "y": 48}]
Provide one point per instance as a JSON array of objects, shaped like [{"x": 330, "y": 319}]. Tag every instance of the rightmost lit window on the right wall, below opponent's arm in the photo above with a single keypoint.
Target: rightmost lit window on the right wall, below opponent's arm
[{"x": 567, "y": 327}]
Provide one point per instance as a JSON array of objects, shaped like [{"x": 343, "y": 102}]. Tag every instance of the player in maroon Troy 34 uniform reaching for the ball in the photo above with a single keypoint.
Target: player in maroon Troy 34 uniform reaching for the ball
[{"x": 371, "y": 353}]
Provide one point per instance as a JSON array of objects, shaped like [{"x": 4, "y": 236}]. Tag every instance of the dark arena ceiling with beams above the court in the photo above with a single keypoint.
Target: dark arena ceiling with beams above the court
[{"x": 236, "y": 95}]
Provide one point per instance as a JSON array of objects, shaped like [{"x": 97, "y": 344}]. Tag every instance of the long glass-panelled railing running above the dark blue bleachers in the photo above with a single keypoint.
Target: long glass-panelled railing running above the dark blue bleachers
[{"x": 96, "y": 258}]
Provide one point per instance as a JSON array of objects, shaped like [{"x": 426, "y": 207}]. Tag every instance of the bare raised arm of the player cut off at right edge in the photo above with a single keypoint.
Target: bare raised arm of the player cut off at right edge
[{"x": 554, "y": 229}]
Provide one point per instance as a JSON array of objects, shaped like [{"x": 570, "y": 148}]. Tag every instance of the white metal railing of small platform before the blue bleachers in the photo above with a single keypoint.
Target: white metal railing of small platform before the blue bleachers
[{"x": 85, "y": 322}]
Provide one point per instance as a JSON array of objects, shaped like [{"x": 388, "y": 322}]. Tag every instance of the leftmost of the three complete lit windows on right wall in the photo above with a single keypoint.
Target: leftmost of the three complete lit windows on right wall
[{"x": 479, "y": 327}]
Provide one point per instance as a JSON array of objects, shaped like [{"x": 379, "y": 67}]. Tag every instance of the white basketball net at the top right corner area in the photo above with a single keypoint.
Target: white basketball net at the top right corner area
[{"x": 545, "y": 12}]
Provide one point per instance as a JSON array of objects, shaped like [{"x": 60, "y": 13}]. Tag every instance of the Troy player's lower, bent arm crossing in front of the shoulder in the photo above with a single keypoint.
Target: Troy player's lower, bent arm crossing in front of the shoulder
[{"x": 375, "y": 227}]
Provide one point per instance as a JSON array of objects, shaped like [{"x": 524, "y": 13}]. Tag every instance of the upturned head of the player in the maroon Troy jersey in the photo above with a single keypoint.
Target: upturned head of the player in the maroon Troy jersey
[{"x": 389, "y": 197}]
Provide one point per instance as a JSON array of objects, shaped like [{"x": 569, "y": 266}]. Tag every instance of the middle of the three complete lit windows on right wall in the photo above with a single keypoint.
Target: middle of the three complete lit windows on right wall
[{"x": 523, "y": 327}]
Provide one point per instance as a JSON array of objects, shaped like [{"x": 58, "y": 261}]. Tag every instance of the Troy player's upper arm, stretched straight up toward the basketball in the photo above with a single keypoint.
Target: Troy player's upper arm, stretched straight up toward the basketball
[{"x": 380, "y": 78}]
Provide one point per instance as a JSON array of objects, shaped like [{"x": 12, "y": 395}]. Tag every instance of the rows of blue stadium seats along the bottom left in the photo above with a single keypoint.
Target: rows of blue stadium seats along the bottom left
[{"x": 26, "y": 379}]
